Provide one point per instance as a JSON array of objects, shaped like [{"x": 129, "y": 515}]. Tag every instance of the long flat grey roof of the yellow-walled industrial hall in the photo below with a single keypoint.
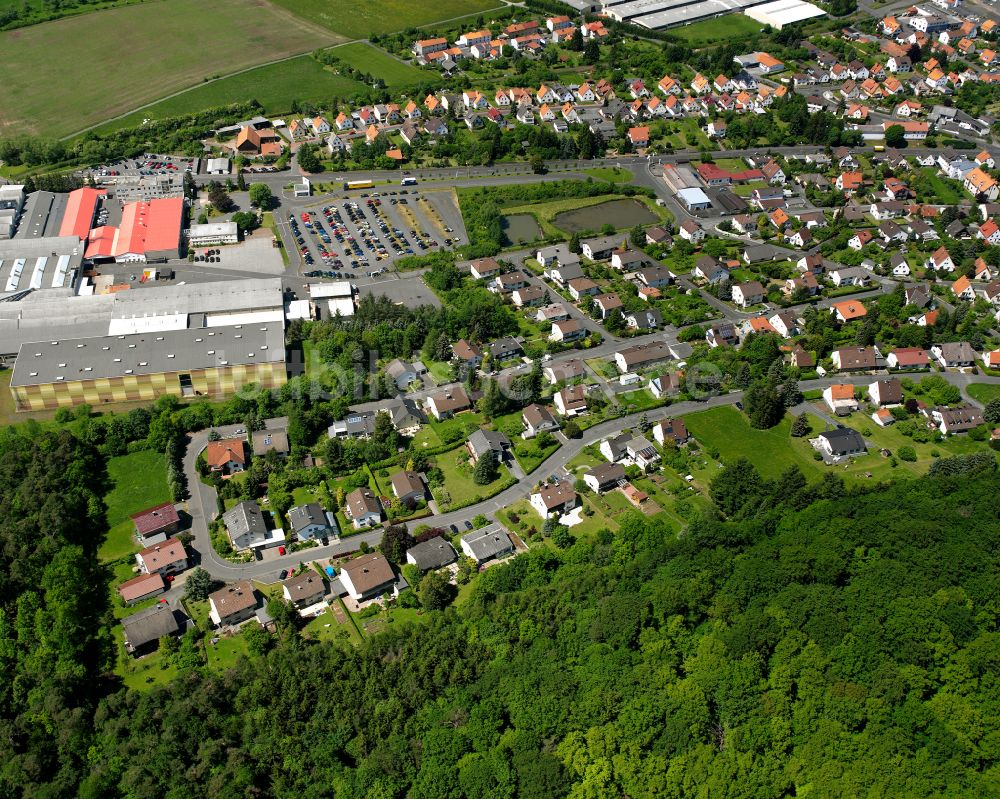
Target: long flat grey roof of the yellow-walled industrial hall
[{"x": 148, "y": 353}]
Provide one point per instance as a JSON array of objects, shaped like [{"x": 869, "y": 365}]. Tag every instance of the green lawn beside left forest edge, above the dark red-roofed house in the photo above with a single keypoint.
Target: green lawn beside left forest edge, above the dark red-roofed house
[{"x": 140, "y": 482}]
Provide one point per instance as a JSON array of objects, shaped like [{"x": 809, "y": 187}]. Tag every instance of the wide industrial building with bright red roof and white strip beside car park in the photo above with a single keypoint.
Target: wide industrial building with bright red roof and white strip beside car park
[{"x": 149, "y": 231}]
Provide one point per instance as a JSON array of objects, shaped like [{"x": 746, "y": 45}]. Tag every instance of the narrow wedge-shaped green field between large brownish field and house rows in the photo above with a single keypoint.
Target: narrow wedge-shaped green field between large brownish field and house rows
[{"x": 274, "y": 86}]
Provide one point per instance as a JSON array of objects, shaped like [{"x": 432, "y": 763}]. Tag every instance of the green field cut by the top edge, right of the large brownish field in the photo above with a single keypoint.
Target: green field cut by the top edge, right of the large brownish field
[{"x": 359, "y": 20}]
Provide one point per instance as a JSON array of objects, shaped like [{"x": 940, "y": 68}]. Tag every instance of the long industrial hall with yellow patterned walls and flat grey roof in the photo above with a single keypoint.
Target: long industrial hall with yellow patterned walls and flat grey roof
[{"x": 212, "y": 362}]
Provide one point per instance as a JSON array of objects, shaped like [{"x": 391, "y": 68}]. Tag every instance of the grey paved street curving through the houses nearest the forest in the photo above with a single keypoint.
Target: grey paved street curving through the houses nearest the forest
[{"x": 203, "y": 508}]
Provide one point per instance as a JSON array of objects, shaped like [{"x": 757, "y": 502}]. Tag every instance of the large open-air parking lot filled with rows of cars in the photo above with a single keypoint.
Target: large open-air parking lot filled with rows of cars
[{"x": 362, "y": 236}]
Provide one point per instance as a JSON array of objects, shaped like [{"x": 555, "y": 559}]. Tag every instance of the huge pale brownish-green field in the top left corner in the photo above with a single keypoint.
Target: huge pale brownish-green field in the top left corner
[{"x": 124, "y": 57}]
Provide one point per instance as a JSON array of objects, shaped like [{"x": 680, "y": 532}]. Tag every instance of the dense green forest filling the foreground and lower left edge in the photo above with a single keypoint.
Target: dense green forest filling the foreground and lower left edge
[{"x": 802, "y": 639}]
